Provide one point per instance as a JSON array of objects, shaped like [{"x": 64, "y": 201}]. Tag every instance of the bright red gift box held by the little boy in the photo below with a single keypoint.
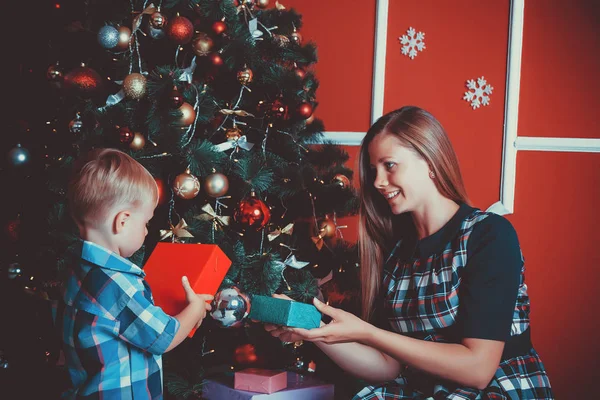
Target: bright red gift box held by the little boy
[{"x": 205, "y": 265}]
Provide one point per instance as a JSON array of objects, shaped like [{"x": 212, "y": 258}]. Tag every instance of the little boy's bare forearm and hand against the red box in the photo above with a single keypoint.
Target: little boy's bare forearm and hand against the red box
[{"x": 192, "y": 315}]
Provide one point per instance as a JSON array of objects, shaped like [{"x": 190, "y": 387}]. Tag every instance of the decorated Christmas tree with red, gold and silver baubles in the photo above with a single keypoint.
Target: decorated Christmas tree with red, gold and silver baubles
[{"x": 216, "y": 100}]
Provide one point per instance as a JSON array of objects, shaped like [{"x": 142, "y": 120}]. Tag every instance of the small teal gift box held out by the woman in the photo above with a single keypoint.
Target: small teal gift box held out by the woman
[{"x": 284, "y": 312}]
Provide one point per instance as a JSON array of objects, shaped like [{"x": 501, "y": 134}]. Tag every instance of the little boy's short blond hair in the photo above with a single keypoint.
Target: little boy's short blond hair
[{"x": 105, "y": 178}]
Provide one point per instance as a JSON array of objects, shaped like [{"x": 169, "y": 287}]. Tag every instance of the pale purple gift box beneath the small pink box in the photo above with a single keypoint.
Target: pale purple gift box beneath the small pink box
[{"x": 299, "y": 387}]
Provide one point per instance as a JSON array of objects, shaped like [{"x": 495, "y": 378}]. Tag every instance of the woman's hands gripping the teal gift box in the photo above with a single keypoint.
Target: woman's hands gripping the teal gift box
[{"x": 344, "y": 327}]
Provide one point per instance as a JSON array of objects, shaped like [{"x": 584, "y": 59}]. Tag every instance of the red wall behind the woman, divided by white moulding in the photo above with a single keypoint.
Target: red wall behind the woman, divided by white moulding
[{"x": 556, "y": 193}]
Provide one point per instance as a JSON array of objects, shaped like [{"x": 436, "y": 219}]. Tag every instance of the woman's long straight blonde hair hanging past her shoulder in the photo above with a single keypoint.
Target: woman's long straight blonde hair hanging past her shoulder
[{"x": 418, "y": 130}]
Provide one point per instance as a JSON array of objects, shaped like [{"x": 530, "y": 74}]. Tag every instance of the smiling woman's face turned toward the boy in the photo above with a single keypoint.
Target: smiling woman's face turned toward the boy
[{"x": 401, "y": 175}]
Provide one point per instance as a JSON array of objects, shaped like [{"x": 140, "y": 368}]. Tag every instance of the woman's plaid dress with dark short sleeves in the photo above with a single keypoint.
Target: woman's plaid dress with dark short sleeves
[{"x": 464, "y": 281}]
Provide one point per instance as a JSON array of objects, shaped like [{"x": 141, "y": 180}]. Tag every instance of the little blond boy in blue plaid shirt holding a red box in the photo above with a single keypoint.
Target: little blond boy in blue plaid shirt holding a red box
[{"x": 113, "y": 333}]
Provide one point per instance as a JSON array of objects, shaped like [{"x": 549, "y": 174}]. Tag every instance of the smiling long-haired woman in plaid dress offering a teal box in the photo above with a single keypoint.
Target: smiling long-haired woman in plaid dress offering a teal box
[{"x": 444, "y": 304}]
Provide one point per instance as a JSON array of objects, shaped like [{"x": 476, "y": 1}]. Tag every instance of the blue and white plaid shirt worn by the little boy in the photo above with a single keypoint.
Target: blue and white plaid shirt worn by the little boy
[{"x": 113, "y": 334}]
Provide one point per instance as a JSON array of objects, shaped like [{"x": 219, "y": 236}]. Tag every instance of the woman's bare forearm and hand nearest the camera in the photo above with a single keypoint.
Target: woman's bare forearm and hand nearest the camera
[{"x": 471, "y": 363}]
